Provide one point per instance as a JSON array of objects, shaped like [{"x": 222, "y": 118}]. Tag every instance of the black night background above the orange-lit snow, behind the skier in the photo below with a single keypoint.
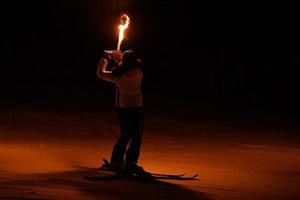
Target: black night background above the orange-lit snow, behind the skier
[{"x": 243, "y": 56}]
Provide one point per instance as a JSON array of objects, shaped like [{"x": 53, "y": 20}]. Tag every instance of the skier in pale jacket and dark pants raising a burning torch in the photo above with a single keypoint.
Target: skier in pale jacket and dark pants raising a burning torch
[{"x": 127, "y": 75}]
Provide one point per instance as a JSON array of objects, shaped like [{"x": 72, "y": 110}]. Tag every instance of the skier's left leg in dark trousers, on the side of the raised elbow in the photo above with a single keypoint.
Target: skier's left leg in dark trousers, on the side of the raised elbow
[{"x": 119, "y": 148}]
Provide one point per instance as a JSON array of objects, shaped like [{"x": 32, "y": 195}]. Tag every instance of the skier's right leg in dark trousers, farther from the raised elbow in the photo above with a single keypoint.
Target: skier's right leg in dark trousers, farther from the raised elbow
[{"x": 133, "y": 152}]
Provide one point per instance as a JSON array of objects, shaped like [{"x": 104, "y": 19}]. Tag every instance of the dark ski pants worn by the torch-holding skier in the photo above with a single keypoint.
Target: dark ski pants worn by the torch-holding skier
[{"x": 131, "y": 125}]
